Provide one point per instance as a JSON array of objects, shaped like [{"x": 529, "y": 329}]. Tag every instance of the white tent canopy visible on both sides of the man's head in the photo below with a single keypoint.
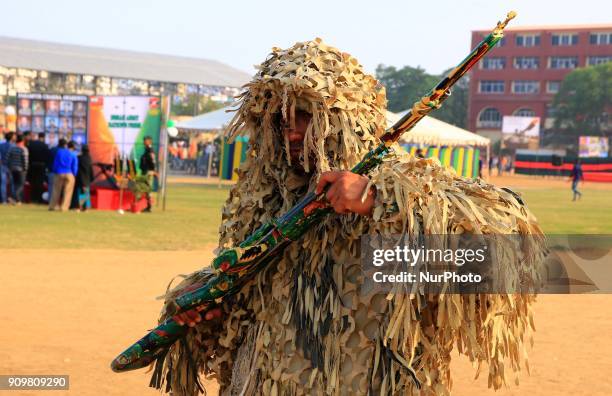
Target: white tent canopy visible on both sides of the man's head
[{"x": 429, "y": 130}]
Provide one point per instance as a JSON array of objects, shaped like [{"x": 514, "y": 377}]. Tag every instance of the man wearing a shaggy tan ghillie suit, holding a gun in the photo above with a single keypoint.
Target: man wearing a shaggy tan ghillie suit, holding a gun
[{"x": 304, "y": 326}]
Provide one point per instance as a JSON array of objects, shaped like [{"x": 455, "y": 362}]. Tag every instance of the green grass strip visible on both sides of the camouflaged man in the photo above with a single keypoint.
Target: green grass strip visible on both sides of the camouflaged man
[{"x": 193, "y": 214}]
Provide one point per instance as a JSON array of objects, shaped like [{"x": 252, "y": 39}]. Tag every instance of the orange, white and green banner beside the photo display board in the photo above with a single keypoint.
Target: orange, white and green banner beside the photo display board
[{"x": 119, "y": 124}]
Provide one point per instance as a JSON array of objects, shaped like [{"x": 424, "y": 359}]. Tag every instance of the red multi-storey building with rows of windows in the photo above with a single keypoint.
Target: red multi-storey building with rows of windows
[{"x": 522, "y": 75}]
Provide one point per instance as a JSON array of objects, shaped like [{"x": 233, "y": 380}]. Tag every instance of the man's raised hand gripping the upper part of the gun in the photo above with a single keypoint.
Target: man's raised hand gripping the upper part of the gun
[{"x": 345, "y": 191}]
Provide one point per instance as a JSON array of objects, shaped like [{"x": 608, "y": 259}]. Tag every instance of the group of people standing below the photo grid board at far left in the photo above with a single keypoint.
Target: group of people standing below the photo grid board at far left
[{"x": 66, "y": 174}]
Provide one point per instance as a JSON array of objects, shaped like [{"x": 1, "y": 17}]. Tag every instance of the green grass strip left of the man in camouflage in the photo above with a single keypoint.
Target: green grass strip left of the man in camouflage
[{"x": 191, "y": 221}]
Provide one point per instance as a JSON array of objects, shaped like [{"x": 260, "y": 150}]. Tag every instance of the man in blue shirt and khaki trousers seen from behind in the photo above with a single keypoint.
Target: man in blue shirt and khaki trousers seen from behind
[{"x": 65, "y": 167}]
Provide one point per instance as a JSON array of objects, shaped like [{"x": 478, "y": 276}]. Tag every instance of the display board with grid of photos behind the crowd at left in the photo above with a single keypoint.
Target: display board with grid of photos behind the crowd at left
[{"x": 58, "y": 116}]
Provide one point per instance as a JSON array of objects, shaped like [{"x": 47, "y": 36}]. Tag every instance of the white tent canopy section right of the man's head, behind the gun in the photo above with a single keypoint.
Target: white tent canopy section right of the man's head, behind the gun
[{"x": 433, "y": 132}]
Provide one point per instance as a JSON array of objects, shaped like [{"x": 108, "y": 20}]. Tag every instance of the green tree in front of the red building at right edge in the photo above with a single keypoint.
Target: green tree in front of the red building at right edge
[{"x": 583, "y": 98}]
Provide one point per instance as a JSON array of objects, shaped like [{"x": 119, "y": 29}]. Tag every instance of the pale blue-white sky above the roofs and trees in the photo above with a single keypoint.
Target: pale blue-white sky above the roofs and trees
[{"x": 434, "y": 35}]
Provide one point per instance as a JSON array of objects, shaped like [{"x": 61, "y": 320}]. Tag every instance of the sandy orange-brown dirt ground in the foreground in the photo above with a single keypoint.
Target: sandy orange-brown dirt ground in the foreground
[{"x": 72, "y": 312}]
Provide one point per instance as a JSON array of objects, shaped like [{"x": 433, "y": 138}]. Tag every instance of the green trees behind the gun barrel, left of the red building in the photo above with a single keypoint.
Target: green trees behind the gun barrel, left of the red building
[{"x": 406, "y": 85}]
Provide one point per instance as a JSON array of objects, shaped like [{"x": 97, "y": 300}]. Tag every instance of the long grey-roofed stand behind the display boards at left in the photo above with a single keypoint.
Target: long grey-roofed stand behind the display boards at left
[{"x": 38, "y": 66}]
